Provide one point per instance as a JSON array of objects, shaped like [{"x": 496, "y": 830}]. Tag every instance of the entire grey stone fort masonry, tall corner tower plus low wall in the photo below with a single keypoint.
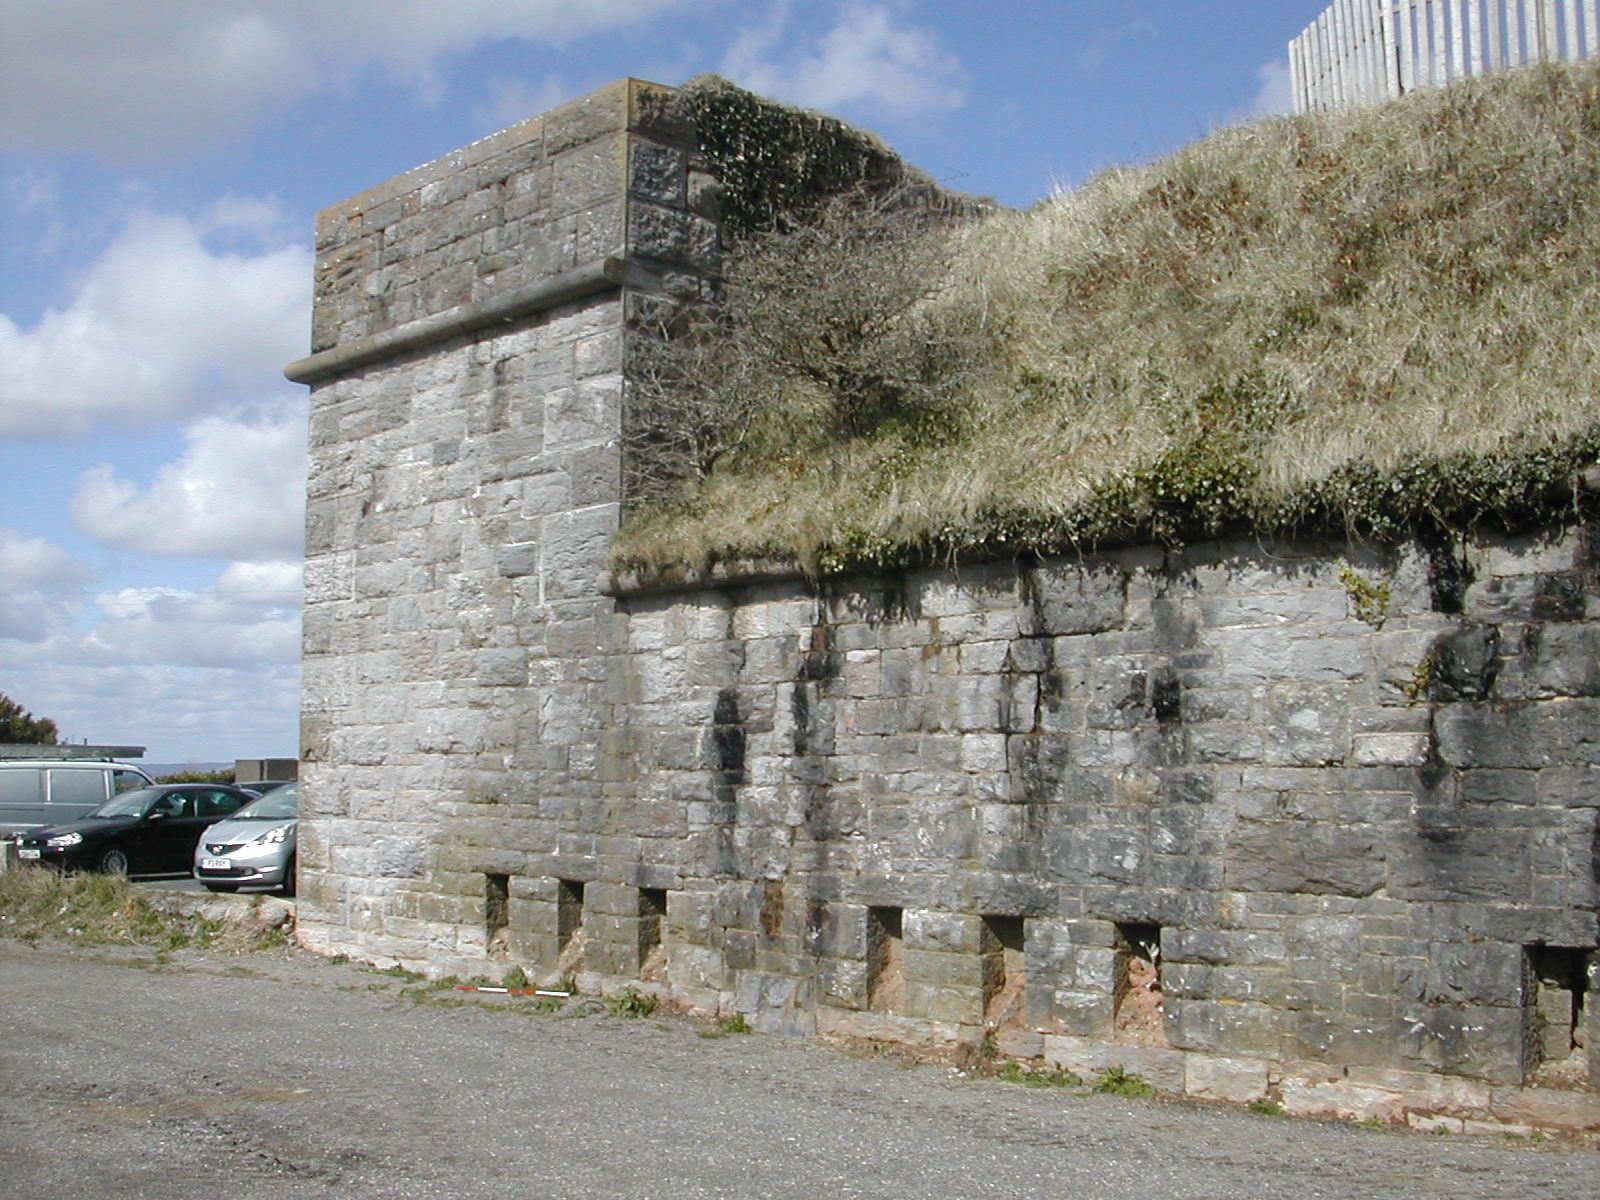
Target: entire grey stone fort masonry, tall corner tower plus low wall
[{"x": 1300, "y": 822}]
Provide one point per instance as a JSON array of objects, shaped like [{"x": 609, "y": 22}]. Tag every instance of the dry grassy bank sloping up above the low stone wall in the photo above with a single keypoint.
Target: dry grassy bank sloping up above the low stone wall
[{"x": 1361, "y": 321}]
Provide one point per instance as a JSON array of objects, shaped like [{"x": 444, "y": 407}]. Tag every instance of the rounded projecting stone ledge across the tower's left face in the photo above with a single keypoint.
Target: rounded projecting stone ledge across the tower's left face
[{"x": 570, "y": 286}]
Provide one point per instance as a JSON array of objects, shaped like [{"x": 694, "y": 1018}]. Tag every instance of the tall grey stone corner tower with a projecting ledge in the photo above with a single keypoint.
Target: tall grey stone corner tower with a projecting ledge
[{"x": 466, "y": 479}]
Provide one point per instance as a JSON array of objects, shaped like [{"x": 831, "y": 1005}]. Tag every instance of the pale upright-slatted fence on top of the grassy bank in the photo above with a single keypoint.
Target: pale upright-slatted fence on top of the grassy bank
[{"x": 1366, "y": 52}]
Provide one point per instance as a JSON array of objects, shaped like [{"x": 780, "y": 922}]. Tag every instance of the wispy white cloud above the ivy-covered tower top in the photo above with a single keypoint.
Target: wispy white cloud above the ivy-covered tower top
[{"x": 870, "y": 60}]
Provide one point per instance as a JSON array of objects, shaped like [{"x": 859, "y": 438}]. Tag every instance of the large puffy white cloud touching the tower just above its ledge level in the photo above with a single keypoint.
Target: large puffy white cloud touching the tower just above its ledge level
[{"x": 161, "y": 327}]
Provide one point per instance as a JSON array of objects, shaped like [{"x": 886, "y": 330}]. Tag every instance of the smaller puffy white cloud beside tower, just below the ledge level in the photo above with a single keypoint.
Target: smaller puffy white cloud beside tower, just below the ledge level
[{"x": 239, "y": 490}]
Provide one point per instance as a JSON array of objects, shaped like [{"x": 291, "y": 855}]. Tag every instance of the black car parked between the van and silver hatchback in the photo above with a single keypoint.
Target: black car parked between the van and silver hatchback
[{"x": 142, "y": 833}]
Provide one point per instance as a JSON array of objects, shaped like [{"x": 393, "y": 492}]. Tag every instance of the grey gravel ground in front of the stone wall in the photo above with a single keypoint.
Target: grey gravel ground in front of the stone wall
[{"x": 284, "y": 1076}]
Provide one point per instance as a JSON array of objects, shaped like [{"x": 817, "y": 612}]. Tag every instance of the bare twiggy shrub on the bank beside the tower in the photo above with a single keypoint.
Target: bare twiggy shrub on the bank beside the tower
[{"x": 823, "y": 334}]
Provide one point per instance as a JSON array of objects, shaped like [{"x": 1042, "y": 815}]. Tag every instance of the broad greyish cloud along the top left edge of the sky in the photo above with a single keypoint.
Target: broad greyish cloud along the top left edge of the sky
[{"x": 161, "y": 78}]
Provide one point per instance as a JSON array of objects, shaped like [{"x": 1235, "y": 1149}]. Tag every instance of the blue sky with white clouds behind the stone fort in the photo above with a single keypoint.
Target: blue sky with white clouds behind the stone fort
[{"x": 161, "y": 169}]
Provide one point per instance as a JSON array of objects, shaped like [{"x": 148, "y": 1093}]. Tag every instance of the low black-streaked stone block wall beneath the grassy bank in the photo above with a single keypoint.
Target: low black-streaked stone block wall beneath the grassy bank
[{"x": 1297, "y": 820}]
